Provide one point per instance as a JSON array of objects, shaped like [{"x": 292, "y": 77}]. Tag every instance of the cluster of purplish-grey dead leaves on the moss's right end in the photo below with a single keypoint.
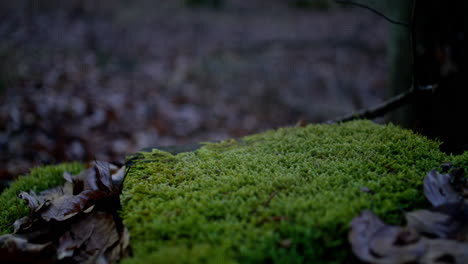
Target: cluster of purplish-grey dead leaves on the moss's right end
[{"x": 435, "y": 235}]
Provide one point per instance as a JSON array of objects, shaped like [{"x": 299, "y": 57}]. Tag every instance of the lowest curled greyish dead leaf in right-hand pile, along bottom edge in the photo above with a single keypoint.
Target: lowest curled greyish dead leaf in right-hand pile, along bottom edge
[{"x": 374, "y": 242}]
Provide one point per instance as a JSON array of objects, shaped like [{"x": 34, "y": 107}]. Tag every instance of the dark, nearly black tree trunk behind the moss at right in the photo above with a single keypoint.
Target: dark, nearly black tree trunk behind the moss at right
[{"x": 440, "y": 58}]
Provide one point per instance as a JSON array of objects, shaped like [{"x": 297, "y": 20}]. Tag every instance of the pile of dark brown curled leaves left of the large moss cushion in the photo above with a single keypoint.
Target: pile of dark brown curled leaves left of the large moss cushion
[{"x": 73, "y": 223}]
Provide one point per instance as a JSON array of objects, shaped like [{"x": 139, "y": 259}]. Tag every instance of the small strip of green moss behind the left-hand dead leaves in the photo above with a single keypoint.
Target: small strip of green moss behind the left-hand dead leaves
[{"x": 39, "y": 179}]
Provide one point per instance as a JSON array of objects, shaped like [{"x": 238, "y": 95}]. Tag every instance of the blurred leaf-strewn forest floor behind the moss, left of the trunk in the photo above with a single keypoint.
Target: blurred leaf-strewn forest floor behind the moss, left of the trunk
[{"x": 84, "y": 80}]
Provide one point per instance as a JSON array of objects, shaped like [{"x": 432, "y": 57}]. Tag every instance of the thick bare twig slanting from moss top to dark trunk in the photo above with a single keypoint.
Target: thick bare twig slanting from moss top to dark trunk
[{"x": 387, "y": 106}]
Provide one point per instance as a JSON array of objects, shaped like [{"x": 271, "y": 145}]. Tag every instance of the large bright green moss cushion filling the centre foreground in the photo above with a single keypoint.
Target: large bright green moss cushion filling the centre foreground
[{"x": 283, "y": 196}]
